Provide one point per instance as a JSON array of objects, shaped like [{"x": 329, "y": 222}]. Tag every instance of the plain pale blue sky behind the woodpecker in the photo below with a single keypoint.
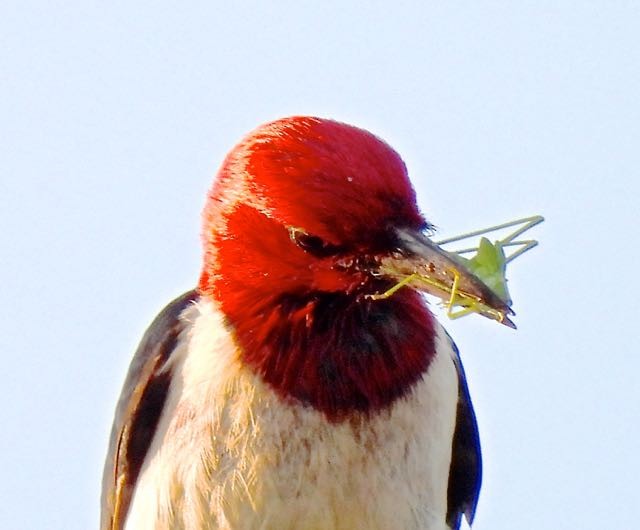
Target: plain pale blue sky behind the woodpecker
[{"x": 115, "y": 115}]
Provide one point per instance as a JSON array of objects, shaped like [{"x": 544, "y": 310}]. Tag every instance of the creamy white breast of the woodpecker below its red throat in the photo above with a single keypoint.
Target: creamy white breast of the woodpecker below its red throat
[{"x": 230, "y": 454}]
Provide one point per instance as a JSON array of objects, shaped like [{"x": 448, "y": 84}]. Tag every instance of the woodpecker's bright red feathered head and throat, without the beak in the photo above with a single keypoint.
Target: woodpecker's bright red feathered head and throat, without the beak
[{"x": 296, "y": 225}]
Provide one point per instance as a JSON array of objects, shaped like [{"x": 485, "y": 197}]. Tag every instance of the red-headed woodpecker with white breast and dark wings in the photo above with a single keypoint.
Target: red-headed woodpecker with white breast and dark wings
[{"x": 286, "y": 390}]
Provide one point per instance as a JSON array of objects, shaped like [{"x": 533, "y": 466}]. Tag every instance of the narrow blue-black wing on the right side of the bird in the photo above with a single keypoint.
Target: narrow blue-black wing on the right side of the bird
[{"x": 465, "y": 474}]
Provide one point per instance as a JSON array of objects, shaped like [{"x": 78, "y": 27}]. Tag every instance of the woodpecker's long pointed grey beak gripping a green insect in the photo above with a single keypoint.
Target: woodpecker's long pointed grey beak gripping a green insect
[{"x": 424, "y": 266}]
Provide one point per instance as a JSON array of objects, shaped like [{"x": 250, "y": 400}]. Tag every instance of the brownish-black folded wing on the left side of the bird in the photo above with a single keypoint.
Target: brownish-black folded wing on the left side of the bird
[{"x": 138, "y": 411}]
